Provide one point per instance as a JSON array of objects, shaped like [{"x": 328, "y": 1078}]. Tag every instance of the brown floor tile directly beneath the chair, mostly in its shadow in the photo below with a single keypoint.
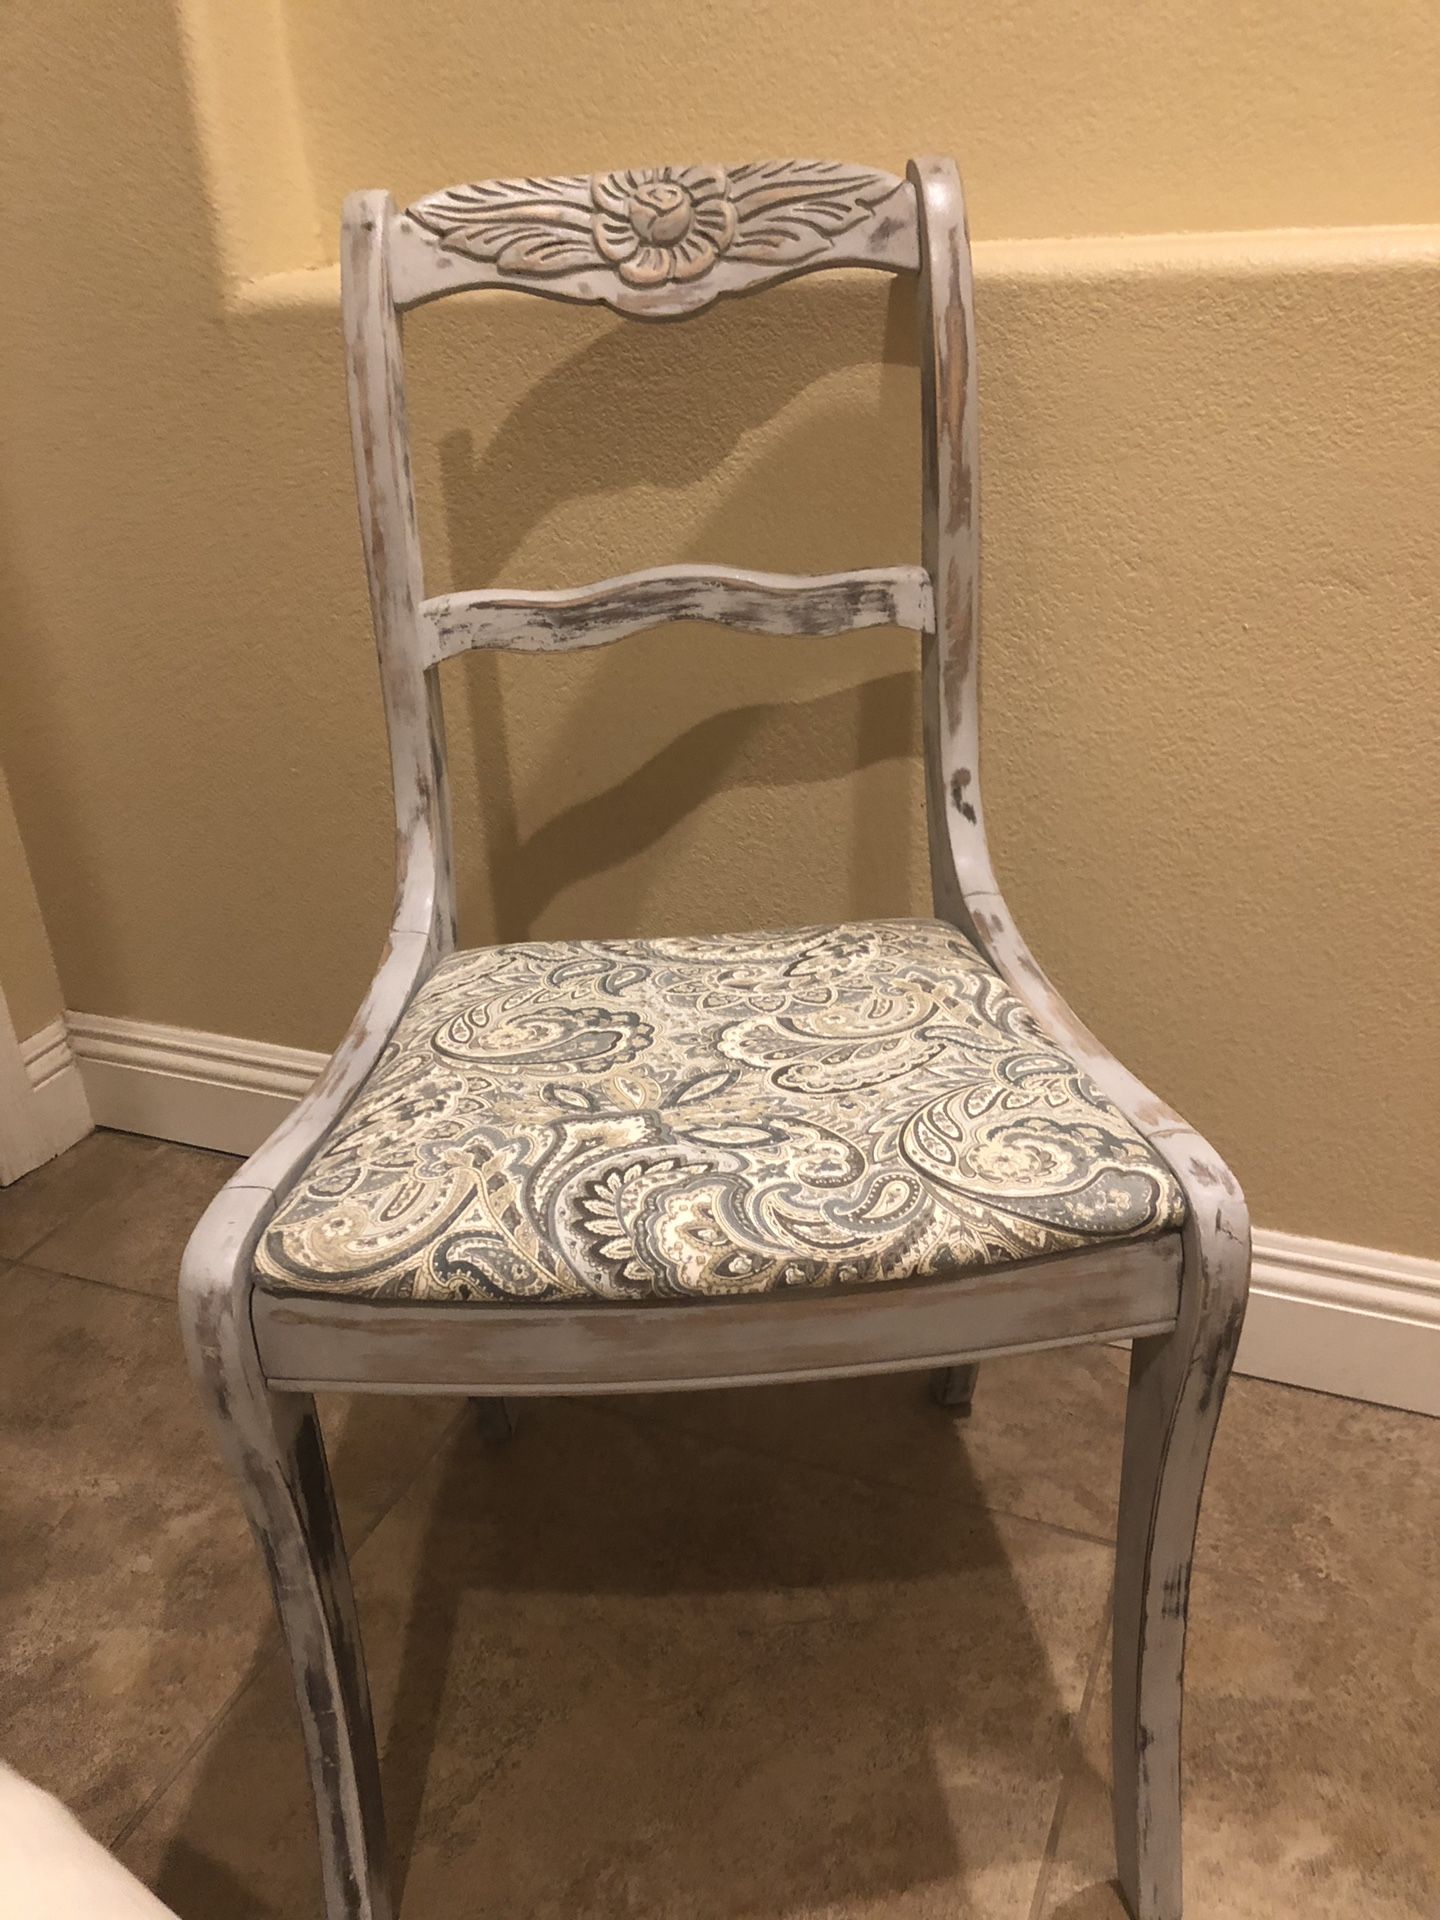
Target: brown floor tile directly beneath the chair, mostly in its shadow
[{"x": 621, "y": 1671}]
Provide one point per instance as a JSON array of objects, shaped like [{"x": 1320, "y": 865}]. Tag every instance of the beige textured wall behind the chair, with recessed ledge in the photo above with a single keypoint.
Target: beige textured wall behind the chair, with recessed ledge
[{"x": 1212, "y": 479}]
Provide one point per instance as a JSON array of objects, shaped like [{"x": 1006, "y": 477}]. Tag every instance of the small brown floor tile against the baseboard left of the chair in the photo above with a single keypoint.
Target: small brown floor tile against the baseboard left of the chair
[{"x": 135, "y": 1230}]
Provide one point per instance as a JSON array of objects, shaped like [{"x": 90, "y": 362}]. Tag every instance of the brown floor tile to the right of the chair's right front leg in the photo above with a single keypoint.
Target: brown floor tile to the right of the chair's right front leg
[{"x": 1312, "y": 1735}]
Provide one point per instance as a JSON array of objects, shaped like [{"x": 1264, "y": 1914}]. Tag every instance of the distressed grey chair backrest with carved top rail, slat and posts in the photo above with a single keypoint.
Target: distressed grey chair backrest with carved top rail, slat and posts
[{"x": 661, "y": 245}]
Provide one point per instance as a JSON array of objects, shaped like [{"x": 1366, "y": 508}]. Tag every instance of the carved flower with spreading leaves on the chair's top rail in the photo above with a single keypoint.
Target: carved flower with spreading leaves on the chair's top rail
[{"x": 656, "y": 226}]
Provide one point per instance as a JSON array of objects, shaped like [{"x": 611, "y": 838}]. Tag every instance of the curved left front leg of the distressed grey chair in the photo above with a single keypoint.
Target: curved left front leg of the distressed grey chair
[{"x": 276, "y": 1449}]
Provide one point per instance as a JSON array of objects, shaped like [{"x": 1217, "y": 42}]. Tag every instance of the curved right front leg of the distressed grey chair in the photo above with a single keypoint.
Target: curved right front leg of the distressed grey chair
[{"x": 1178, "y": 1383}]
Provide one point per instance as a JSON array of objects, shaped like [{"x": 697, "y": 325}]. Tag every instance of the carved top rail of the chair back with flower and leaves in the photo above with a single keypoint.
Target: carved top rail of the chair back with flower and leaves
[{"x": 656, "y": 243}]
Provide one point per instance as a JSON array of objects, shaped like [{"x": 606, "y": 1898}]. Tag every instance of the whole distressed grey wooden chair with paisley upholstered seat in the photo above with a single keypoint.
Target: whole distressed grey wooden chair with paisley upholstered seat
[{"x": 565, "y": 1168}]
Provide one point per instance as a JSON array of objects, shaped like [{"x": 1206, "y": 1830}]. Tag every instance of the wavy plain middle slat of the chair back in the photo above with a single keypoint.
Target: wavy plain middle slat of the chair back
[{"x": 727, "y": 596}]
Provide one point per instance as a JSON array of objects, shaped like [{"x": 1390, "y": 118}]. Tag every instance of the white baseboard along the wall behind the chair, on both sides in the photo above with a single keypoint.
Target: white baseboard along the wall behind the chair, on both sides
[{"x": 1341, "y": 1320}]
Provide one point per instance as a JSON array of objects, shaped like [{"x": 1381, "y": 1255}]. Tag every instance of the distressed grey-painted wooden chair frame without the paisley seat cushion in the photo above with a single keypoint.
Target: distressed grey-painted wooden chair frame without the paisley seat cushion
[{"x": 260, "y": 1356}]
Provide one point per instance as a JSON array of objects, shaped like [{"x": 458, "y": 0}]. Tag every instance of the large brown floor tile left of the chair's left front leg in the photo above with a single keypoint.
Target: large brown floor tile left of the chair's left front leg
[{"x": 133, "y": 1596}]
